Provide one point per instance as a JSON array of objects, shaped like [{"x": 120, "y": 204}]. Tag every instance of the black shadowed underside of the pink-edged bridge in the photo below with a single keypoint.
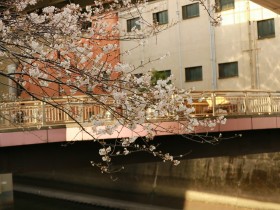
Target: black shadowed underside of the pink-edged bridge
[{"x": 60, "y": 156}]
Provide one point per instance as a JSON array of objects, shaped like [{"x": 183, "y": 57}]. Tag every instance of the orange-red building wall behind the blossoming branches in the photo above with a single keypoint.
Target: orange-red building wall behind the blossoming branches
[{"x": 53, "y": 68}]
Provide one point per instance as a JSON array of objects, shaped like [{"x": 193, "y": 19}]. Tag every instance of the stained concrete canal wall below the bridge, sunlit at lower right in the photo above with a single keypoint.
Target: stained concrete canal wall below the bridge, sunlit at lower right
[{"x": 247, "y": 179}]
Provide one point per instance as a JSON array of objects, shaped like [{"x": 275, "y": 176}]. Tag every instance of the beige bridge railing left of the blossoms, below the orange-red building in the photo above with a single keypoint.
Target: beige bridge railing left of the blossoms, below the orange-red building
[{"x": 57, "y": 111}]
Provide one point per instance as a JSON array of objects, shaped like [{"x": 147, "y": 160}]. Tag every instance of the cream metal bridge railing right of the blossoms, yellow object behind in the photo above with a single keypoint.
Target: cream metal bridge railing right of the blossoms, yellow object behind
[{"x": 236, "y": 103}]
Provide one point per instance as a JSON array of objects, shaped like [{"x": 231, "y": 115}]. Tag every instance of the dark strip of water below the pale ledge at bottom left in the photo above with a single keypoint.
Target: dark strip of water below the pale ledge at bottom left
[{"x": 23, "y": 201}]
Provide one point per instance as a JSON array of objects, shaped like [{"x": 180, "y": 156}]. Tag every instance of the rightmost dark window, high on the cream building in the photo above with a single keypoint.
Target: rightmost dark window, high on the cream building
[{"x": 266, "y": 28}]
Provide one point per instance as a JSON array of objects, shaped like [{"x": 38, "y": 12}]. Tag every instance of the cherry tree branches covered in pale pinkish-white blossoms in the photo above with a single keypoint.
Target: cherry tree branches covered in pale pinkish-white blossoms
[{"x": 73, "y": 53}]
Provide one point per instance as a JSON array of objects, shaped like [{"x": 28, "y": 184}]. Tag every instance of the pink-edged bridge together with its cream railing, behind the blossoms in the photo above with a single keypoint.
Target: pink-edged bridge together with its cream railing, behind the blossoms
[{"x": 35, "y": 122}]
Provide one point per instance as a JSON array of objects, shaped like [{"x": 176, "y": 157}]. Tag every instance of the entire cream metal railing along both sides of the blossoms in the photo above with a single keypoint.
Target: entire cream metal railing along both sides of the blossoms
[{"x": 82, "y": 108}]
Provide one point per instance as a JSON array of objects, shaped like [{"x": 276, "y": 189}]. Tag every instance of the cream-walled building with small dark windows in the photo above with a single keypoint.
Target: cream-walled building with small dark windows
[{"x": 242, "y": 52}]
